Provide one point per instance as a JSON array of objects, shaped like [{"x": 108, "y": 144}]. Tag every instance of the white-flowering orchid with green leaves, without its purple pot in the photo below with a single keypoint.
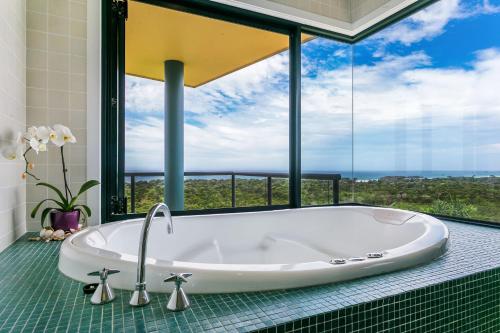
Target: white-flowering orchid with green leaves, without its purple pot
[{"x": 37, "y": 139}]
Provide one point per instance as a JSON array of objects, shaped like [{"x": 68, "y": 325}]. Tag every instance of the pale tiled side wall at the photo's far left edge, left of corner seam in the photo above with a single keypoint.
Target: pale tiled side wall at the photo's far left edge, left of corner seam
[{"x": 12, "y": 117}]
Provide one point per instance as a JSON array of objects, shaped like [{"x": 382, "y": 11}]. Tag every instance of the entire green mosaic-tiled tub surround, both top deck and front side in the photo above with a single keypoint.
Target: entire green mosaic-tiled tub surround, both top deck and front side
[{"x": 459, "y": 292}]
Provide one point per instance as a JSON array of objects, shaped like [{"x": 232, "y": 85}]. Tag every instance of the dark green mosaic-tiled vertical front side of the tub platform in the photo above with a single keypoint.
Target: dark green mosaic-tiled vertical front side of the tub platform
[{"x": 469, "y": 304}]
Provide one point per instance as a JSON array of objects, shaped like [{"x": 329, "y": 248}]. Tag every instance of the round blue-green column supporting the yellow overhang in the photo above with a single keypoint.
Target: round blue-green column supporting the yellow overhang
[{"x": 174, "y": 134}]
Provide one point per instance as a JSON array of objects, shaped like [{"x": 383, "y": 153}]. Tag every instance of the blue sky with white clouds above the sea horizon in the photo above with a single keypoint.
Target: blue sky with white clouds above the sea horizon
[{"x": 422, "y": 94}]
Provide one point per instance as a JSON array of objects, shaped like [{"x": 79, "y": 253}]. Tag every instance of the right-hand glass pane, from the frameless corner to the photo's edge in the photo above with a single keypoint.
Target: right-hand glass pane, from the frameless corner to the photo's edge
[{"x": 427, "y": 112}]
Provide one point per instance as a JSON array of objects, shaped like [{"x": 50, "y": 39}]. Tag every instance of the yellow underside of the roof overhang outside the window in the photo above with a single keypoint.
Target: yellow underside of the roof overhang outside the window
[{"x": 208, "y": 48}]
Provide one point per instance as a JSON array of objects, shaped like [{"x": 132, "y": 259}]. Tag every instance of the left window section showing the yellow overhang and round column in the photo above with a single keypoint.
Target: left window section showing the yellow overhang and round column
[{"x": 235, "y": 108}]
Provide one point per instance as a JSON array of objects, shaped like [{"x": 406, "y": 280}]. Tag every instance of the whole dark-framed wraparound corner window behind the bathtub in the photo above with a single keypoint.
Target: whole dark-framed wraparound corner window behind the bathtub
[{"x": 407, "y": 118}]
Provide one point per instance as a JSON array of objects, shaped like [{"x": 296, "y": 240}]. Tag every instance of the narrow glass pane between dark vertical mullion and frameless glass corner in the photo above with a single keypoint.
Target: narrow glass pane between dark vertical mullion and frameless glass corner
[{"x": 326, "y": 121}]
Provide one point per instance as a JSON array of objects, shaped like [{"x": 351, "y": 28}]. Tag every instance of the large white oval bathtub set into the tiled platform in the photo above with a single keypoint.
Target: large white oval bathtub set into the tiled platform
[{"x": 258, "y": 251}]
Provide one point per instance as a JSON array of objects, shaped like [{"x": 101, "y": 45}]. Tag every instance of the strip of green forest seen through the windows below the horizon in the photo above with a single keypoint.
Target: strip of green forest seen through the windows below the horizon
[{"x": 467, "y": 197}]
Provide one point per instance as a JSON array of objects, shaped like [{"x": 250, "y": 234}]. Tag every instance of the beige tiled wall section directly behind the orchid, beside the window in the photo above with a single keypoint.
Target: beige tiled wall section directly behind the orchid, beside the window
[{"x": 56, "y": 87}]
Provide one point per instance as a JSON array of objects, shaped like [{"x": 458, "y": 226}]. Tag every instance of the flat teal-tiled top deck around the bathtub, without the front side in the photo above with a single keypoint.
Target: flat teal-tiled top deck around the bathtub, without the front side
[{"x": 35, "y": 297}]
